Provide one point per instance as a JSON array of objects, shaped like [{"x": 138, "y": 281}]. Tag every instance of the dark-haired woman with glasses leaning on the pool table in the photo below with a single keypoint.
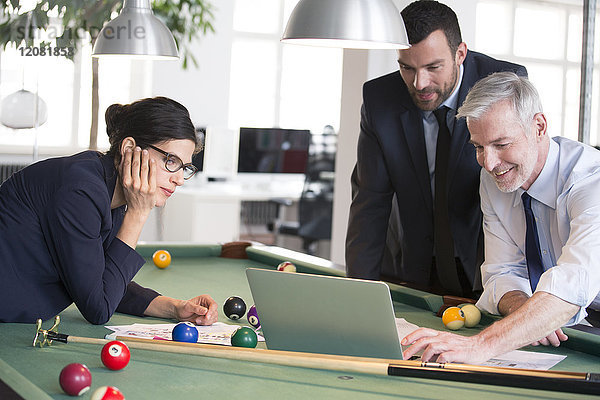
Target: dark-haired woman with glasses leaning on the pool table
[{"x": 69, "y": 226}]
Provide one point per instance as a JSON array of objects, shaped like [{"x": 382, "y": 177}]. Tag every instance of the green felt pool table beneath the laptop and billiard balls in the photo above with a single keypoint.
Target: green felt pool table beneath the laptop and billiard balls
[{"x": 33, "y": 372}]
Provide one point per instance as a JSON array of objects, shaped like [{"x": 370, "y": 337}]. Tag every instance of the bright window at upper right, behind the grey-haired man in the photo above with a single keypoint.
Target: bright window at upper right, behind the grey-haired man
[{"x": 545, "y": 36}]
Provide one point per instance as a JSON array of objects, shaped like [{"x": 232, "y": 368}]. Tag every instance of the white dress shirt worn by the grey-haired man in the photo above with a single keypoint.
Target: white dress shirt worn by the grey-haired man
[{"x": 566, "y": 204}]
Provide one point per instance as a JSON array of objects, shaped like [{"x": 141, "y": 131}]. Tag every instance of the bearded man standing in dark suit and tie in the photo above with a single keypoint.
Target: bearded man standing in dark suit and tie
[{"x": 409, "y": 139}]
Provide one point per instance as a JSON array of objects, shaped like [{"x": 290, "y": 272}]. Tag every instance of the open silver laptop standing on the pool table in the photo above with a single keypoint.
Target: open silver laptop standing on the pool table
[{"x": 321, "y": 314}]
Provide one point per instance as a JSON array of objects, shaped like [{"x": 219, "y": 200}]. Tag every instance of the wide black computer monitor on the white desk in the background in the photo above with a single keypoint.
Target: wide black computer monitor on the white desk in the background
[{"x": 273, "y": 150}]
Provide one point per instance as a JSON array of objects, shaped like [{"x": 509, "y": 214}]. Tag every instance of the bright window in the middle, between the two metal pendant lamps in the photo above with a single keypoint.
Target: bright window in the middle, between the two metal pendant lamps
[{"x": 275, "y": 85}]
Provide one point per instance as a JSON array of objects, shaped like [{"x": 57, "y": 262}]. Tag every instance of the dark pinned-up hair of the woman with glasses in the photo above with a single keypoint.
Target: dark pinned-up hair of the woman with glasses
[{"x": 149, "y": 121}]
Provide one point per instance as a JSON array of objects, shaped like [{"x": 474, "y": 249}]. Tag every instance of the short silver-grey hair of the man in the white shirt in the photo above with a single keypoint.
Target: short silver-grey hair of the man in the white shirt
[{"x": 502, "y": 86}]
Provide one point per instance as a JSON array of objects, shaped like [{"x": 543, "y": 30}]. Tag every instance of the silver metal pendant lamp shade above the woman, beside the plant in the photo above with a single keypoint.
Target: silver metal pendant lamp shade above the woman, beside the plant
[{"x": 136, "y": 33}]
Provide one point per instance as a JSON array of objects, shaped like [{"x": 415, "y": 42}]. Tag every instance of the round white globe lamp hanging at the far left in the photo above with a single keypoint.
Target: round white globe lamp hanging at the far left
[{"x": 18, "y": 110}]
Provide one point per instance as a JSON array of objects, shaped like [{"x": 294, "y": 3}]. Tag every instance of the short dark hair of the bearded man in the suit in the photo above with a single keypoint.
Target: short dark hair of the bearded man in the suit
[{"x": 424, "y": 17}]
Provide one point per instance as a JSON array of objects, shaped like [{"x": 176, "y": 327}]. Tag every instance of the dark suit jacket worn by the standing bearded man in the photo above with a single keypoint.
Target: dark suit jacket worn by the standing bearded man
[{"x": 392, "y": 159}]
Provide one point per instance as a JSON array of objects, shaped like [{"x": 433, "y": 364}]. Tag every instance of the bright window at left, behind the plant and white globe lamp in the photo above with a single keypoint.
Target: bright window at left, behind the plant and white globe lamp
[{"x": 66, "y": 88}]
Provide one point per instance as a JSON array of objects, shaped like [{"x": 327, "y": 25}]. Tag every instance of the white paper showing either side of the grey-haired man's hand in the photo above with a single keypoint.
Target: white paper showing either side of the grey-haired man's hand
[{"x": 512, "y": 359}]
